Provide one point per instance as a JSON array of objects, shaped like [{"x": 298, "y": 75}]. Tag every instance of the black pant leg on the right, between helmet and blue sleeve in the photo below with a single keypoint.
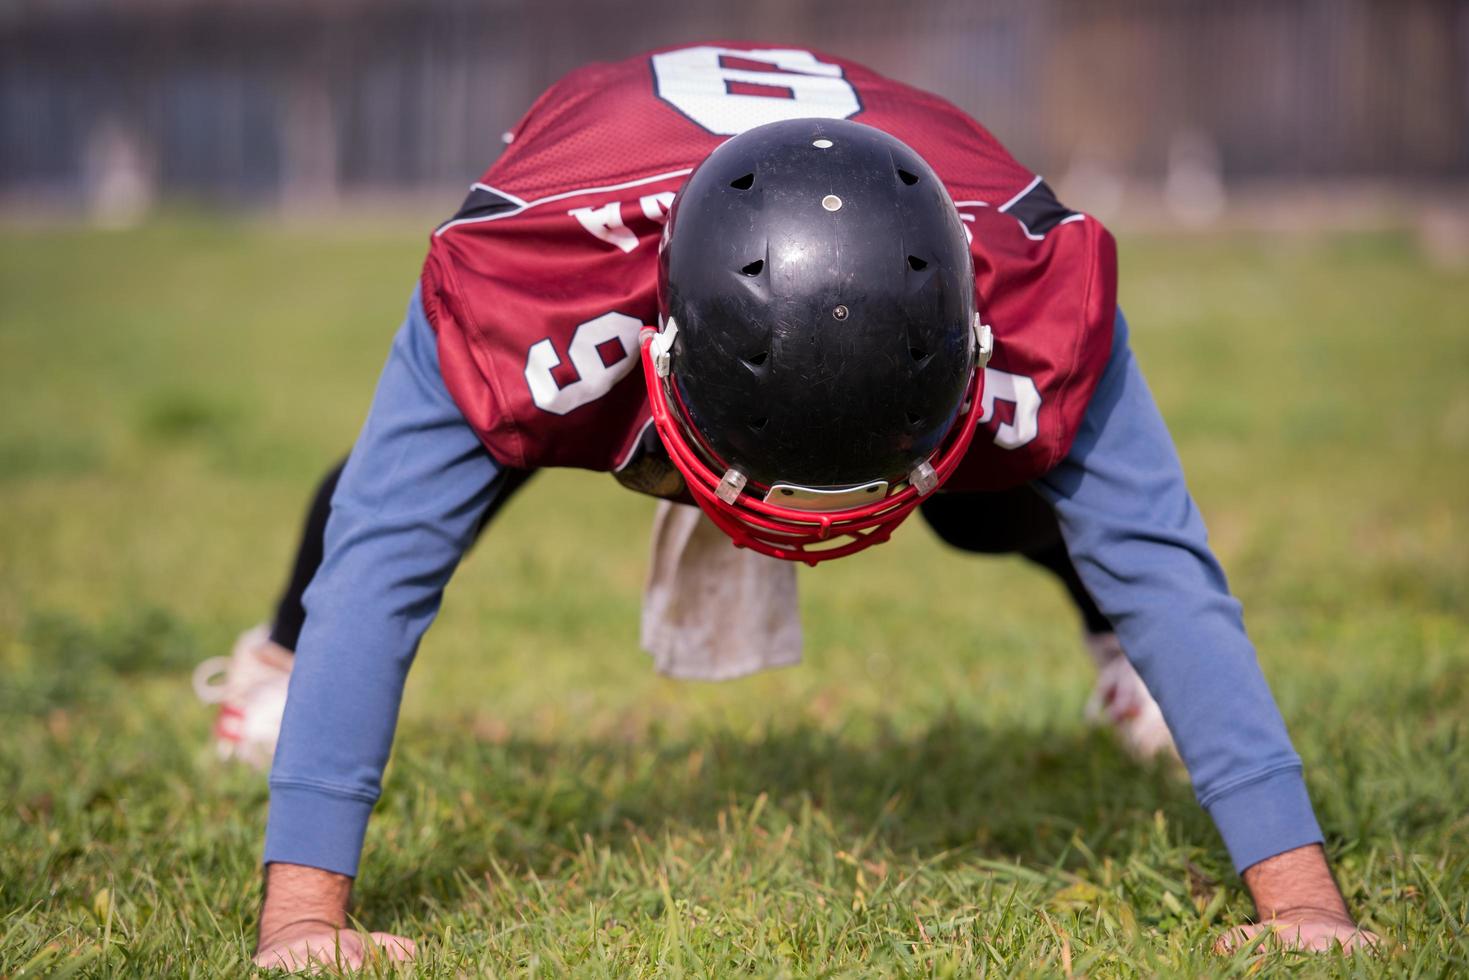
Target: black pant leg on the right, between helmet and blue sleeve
[{"x": 1013, "y": 522}]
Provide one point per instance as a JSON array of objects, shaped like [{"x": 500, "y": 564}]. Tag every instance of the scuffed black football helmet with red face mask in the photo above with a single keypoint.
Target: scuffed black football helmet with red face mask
[{"x": 819, "y": 350}]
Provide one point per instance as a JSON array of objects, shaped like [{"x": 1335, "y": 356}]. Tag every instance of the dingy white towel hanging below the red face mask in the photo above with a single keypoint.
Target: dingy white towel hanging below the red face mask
[{"x": 713, "y": 612}]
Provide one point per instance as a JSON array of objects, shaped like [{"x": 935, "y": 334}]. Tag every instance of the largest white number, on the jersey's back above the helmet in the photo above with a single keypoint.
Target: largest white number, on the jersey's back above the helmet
[{"x": 703, "y": 87}]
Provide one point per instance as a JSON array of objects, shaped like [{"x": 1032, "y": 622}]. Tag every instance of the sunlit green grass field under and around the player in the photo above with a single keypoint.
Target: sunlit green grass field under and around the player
[{"x": 919, "y": 799}]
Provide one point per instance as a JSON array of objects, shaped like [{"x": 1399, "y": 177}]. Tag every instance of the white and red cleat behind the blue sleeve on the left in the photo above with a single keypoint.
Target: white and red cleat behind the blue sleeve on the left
[{"x": 250, "y": 688}]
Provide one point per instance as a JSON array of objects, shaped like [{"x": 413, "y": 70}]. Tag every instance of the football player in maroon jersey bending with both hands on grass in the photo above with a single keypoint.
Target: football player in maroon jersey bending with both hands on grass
[{"x": 809, "y": 300}]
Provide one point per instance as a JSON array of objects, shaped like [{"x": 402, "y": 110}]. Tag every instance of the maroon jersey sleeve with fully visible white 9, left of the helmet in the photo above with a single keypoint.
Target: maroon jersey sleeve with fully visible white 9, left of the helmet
[{"x": 538, "y": 315}]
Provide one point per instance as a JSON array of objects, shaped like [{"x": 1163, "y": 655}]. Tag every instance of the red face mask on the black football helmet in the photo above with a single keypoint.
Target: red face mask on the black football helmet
[{"x": 803, "y": 533}]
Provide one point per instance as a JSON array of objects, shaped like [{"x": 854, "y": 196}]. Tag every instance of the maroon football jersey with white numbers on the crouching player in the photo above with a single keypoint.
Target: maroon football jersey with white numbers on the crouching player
[{"x": 540, "y": 286}]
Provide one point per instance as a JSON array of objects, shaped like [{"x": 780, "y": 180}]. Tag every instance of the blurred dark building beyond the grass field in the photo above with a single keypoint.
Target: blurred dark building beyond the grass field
[{"x": 112, "y": 105}]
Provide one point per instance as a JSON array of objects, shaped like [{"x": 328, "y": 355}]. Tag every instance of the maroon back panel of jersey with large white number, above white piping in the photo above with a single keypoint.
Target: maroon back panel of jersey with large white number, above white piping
[{"x": 666, "y": 111}]
